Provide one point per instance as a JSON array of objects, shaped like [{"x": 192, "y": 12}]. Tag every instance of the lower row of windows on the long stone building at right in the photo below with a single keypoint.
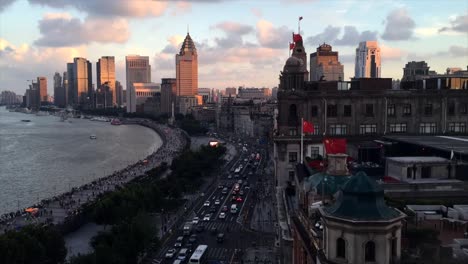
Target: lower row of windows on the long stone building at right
[{"x": 424, "y": 128}]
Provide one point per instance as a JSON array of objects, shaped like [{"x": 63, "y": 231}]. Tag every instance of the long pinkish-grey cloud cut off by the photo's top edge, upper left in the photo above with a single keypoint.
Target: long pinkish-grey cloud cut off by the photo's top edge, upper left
[{"x": 124, "y": 8}]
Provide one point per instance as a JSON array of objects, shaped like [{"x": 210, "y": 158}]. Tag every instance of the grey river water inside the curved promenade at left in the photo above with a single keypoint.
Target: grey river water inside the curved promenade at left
[{"x": 46, "y": 157}]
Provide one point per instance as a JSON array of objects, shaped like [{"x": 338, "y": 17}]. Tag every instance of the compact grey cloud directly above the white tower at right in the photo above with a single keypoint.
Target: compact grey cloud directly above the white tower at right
[{"x": 399, "y": 25}]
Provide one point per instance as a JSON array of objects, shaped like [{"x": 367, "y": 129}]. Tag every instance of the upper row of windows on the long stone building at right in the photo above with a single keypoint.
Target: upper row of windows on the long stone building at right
[{"x": 332, "y": 110}]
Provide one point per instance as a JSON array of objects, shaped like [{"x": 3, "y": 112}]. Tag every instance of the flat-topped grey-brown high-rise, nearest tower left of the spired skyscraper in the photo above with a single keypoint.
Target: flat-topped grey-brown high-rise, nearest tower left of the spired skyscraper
[{"x": 138, "y": 70}]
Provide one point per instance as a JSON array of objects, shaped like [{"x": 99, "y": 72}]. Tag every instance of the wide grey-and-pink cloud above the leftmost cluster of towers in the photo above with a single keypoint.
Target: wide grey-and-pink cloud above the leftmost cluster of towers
[{"x": 61, "y": 30}]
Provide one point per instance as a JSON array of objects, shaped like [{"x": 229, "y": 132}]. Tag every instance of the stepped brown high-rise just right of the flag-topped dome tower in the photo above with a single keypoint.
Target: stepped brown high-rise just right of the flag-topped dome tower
[{"x": 324, "y": 65}]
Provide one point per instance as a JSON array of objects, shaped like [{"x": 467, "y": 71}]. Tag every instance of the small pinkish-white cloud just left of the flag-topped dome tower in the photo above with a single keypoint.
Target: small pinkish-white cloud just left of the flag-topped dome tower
[{"x": 272, "y": 37}]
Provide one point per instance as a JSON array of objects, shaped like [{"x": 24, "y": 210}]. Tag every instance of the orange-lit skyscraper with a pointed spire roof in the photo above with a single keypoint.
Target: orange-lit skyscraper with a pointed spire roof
[{"x": 187, "y": 68}]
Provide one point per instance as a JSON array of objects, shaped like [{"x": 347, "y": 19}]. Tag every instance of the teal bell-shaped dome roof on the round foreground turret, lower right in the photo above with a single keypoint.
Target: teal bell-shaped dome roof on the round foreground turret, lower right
[{"x": 362, "y": 199}]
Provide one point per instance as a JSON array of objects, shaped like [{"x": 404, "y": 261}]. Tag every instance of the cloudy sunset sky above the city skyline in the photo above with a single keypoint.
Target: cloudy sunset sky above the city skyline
[{"x": 239, "y": 42}]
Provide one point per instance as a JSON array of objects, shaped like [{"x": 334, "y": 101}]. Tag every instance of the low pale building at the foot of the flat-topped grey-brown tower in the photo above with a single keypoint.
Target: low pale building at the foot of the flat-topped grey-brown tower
[{"x": 139, "y": 92}]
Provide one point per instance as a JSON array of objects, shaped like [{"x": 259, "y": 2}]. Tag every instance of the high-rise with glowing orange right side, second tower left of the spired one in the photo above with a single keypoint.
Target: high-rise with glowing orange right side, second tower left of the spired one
[{"x": 105, "y": 73}]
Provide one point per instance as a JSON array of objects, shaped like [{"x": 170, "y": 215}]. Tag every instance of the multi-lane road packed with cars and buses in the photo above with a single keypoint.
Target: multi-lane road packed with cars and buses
[{"x": 224, "y": 212}]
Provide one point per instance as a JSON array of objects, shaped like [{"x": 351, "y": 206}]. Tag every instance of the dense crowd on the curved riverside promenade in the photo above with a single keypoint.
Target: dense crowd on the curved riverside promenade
[{"x": 62, "y": 208}]
